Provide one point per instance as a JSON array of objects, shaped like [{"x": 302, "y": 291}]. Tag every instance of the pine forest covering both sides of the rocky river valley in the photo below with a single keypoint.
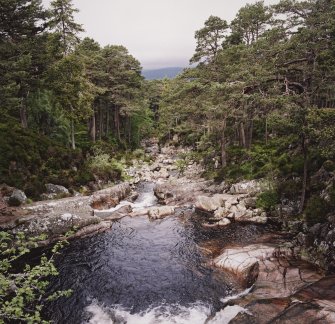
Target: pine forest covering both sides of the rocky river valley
[{"x": 256, "y": 102}]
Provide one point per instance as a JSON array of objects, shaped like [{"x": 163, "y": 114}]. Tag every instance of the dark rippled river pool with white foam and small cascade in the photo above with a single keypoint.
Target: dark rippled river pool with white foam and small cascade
[{"x": 144, "y": 271}]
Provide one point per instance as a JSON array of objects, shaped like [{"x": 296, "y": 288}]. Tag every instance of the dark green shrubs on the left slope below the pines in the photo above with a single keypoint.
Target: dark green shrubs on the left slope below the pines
[{"x": 29, "y": 161}]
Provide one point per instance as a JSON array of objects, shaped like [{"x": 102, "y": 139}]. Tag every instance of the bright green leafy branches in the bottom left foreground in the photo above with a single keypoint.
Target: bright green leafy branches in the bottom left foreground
[{"x": 23, "y": 289}]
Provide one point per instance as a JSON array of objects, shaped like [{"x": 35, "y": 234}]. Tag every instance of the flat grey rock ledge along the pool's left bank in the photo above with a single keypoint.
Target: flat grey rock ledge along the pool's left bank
[{"x": 59, "y": 216}]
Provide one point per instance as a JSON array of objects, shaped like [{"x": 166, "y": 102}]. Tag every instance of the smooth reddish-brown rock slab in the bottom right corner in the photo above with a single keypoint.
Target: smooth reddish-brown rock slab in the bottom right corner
[{"x": 285, "y": 290}]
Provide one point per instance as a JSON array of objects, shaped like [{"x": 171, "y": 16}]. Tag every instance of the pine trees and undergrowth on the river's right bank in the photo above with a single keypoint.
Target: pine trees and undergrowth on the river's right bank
[{"x": 261, "y": 99}]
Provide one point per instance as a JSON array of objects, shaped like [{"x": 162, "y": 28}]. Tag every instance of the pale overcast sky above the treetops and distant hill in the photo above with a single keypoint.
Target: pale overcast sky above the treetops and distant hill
[{"x": 159, "y": 33}]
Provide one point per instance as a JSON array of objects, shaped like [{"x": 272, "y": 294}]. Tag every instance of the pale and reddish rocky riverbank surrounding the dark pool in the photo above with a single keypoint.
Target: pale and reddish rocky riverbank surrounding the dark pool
[{"x": 279, "y": 283}]
